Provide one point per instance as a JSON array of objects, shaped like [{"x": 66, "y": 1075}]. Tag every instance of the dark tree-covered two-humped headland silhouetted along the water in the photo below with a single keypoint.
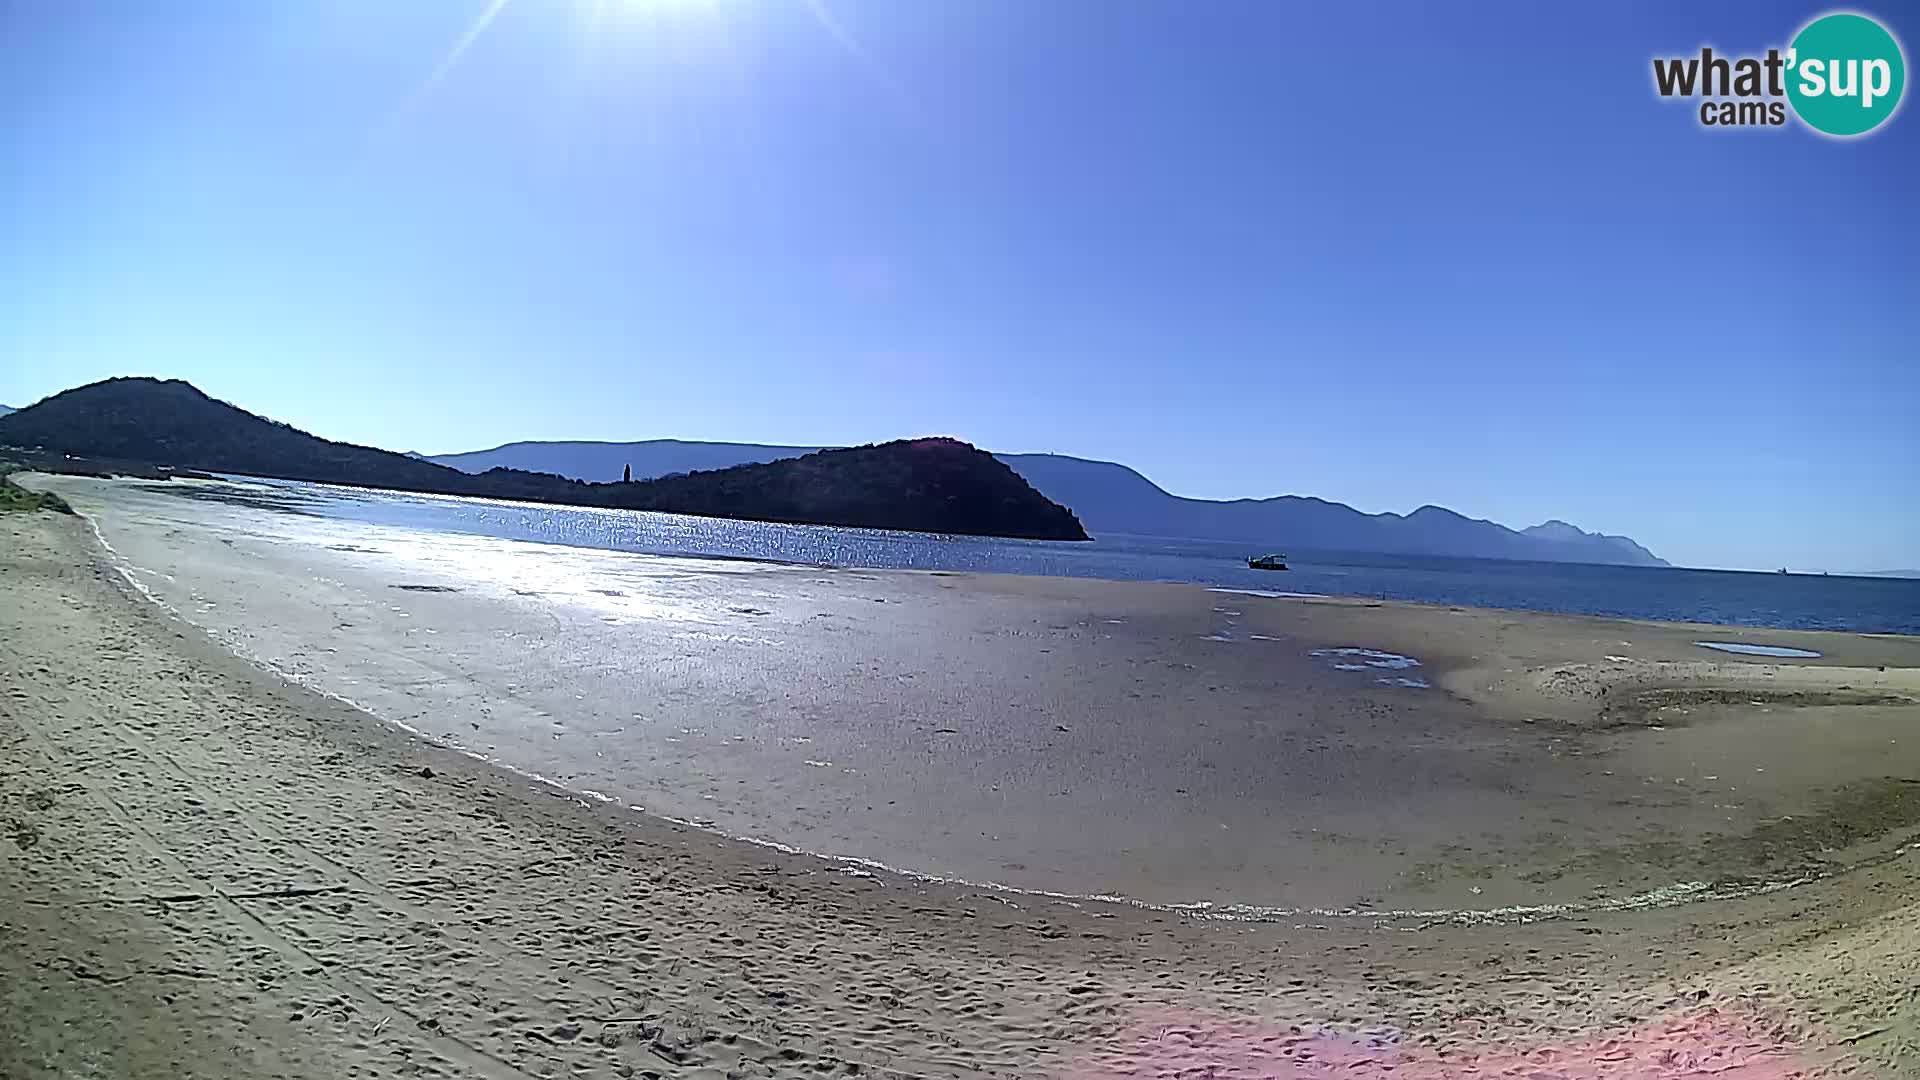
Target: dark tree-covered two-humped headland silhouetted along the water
[{"x": 928, "y": 485}]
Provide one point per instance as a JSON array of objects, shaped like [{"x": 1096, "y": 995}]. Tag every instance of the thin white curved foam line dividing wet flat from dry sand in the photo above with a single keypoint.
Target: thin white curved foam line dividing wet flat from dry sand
[{"x": 1666, "y": 896}]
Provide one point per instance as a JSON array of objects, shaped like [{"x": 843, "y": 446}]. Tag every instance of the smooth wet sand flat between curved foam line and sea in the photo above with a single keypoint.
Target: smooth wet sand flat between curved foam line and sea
[{"x": 1159, "y": 743}]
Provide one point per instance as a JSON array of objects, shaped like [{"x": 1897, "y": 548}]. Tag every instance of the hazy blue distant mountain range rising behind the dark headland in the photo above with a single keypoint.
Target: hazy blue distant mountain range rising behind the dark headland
[{"x": 1115, "y": 499}]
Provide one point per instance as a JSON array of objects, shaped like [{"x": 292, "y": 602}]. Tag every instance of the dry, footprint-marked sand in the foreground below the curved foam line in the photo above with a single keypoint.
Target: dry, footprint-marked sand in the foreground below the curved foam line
[{"x": 314, "y": 889}]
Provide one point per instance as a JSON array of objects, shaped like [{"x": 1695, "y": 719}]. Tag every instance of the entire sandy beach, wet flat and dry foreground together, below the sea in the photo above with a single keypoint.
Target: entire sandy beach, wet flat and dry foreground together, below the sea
[{"x": 1548, "y": 848}]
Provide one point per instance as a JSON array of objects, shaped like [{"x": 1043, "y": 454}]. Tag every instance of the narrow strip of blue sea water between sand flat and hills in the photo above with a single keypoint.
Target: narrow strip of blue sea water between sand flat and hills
[{"x": 1633, "y": 593}]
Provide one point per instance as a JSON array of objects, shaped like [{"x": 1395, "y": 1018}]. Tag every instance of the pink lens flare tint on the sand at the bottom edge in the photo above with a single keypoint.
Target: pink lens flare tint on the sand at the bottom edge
[{"x": 1708, "y": 1043}]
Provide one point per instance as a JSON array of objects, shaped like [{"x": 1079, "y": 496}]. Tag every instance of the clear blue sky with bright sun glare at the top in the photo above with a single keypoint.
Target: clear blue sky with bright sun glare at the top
[{"x": 1360, "y": 251}]
